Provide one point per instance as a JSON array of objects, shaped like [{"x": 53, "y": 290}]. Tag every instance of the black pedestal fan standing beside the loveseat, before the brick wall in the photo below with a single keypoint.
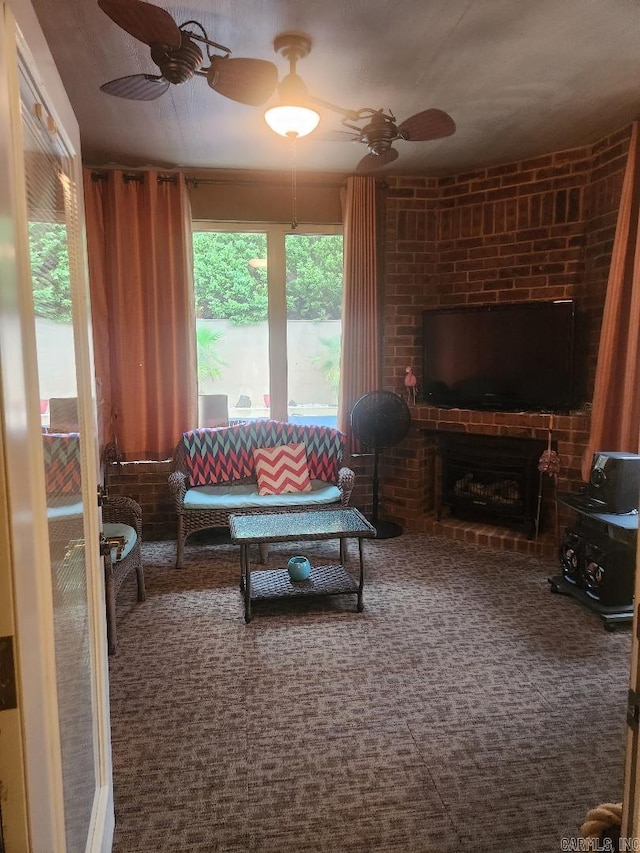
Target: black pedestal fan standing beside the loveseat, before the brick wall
[{"x": 379, "y": 420}]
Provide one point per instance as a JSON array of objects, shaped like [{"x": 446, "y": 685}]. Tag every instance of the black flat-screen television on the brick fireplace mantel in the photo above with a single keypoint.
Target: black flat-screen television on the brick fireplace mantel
[{"x": 511, "y": 357}]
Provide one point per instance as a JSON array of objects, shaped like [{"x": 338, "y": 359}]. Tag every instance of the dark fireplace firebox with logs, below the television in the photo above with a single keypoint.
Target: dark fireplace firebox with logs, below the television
[{"x": 491, "y": 478}]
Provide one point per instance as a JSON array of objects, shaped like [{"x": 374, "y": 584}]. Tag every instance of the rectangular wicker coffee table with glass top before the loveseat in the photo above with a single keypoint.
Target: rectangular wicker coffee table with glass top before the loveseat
[{"x": 263, "y": 528}]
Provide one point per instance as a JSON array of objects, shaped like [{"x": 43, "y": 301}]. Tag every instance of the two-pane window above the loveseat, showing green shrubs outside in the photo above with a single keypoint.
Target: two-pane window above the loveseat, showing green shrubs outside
[{"x": 268, "y": 319}]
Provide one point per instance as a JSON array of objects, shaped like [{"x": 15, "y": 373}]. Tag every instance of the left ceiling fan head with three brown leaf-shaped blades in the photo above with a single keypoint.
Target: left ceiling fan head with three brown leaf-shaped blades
[{"x": 175, "y": 51}]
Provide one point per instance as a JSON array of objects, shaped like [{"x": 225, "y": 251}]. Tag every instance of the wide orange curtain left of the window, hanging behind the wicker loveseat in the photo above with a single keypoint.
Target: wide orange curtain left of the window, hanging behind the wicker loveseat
[{"x": 139, "y": 246}]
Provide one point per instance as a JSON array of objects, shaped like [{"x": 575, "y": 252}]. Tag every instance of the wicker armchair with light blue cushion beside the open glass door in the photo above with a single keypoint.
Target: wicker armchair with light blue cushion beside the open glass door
[{"x": 117, "y": 513}]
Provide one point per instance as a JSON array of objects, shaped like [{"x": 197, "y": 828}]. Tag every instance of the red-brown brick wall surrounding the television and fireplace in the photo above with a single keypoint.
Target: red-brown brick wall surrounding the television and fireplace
[{"x": 538, "y": 229}]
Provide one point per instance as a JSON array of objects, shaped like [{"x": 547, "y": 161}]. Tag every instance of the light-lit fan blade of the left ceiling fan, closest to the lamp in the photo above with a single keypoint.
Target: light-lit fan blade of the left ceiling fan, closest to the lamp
[{"x": 249, "y": 81}]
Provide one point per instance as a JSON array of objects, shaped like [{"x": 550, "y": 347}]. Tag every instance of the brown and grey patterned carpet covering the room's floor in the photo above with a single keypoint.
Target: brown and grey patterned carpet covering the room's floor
[{"x": 468, "y": 708}]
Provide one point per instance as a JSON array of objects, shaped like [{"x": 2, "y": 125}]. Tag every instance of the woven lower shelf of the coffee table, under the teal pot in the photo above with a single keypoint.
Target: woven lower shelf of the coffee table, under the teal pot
[{"x": 269, "y": 584}]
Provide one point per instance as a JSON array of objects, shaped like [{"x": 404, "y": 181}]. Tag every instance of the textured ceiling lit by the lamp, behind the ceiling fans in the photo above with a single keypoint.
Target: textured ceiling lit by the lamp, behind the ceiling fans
[{"x": 520, "y": 78}]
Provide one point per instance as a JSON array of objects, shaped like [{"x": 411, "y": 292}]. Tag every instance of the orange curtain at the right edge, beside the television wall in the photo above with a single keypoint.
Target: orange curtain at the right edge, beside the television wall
[{"x": 615, "y": 418}]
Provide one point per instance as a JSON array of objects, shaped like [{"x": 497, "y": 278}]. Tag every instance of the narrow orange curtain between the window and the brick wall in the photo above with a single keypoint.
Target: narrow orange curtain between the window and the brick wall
[{"x": 359, "y": 362}]
